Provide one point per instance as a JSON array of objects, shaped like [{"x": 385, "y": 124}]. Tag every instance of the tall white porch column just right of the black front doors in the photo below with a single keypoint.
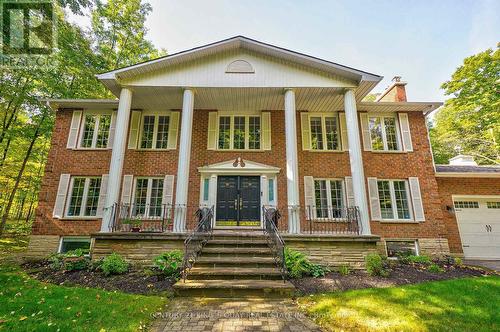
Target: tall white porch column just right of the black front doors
[{"x": 292, "y": 168}]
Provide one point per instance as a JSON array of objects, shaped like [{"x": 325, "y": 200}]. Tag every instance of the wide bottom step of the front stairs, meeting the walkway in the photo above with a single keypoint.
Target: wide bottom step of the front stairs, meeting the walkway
[{"x": 234, "y": 288}]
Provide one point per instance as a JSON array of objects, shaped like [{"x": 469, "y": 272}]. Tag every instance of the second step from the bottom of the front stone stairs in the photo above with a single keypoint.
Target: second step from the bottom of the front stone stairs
[{"x": 228, "y": 273}]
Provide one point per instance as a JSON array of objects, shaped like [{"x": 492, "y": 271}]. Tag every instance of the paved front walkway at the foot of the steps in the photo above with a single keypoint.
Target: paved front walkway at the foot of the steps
[{"x": 252, "y": 314}]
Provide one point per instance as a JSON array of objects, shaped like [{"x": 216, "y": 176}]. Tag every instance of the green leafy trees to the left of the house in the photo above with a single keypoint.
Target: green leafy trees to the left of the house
[{"x": 26, "y": 122}]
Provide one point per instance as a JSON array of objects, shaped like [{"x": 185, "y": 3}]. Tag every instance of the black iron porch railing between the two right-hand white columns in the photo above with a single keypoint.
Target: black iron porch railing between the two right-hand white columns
[{"x": 332, "y": 220}]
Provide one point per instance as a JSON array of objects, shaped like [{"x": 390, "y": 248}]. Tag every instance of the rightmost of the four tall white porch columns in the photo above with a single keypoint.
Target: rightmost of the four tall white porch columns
[{"x": 356, "y": 159}]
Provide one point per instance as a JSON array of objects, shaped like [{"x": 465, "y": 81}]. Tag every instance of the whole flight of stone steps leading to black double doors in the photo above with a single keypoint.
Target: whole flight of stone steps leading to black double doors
[{"x": 235, "y": 263}]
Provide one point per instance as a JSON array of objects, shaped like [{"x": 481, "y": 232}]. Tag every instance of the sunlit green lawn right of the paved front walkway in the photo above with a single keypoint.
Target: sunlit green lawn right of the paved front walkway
[{"x": 471, "y": 304}]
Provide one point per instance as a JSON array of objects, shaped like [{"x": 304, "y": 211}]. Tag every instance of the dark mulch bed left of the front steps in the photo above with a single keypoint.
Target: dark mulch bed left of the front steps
[{"x": 134, "y": 282}]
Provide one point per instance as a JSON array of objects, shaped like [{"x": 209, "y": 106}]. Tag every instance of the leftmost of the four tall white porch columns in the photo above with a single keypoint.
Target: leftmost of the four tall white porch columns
[{"x": 117, "y": 158}]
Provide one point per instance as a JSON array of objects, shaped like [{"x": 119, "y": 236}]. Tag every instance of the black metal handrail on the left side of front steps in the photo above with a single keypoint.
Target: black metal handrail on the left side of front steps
[{"x": 195, "y": 242}]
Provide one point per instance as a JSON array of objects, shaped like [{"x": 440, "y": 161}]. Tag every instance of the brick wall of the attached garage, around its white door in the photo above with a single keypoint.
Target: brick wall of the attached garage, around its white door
[{"x": 462, "y": 186}]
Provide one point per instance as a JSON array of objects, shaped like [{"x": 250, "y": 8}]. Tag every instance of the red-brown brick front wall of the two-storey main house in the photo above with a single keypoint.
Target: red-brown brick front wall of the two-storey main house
[{"x": 317, "y": 164}]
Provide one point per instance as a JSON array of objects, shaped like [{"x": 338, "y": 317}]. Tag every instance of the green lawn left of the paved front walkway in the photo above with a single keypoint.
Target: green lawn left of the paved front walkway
[{"x": 29, "y": 305}]
